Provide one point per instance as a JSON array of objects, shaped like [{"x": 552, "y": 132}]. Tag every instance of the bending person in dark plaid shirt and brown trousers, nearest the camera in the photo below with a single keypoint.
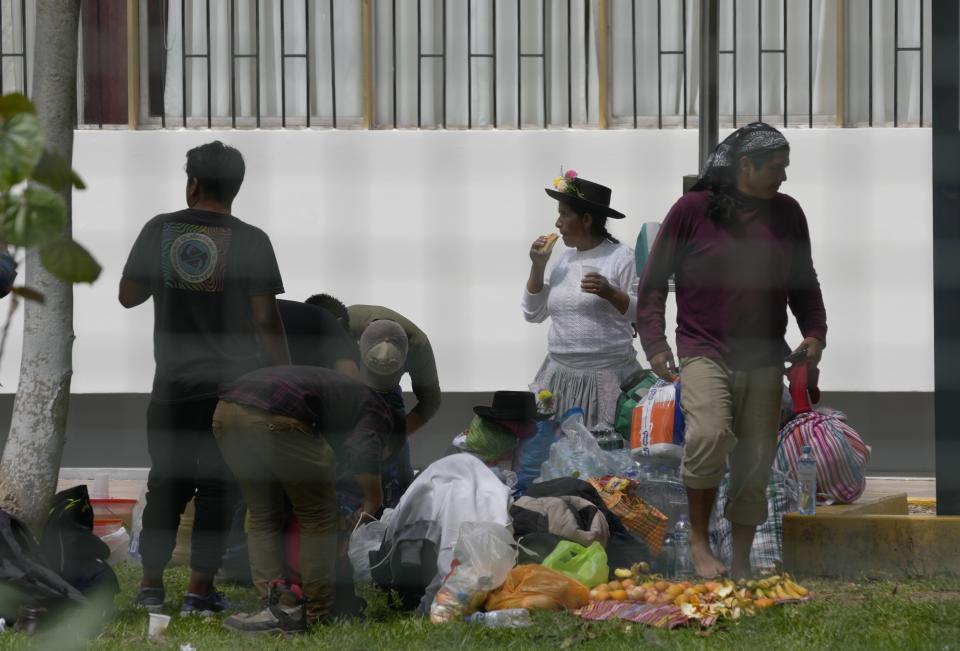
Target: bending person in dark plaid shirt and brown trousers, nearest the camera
[{"x": 282, "y": 430}]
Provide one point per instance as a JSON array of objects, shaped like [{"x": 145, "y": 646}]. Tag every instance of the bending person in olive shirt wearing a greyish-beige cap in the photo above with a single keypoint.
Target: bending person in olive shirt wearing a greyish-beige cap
[{"x": 391, "y": 345}]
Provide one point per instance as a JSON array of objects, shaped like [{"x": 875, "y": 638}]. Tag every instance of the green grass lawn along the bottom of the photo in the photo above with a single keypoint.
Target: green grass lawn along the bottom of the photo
[{"x": 868, "y": 614}]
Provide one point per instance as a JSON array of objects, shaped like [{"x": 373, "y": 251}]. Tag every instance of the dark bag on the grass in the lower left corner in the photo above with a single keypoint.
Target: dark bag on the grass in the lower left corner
[{"x": 24, "y": 579}]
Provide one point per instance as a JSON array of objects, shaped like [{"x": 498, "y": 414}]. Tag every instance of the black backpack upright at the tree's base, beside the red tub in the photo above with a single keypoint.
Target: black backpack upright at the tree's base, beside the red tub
[{"x": 70, "y": 548}]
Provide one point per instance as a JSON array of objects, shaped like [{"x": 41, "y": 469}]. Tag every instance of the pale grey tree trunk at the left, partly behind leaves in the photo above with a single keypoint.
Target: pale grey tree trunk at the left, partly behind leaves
[{"x": 31, "y": 460}]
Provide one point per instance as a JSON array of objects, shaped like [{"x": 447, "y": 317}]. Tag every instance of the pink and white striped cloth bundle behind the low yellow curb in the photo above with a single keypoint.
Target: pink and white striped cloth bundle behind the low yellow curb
[{"x": 841, "y": 454}]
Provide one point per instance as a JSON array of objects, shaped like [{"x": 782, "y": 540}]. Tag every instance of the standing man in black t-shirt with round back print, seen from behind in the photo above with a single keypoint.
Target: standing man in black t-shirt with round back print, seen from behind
[{"x": 213, "y": 280}]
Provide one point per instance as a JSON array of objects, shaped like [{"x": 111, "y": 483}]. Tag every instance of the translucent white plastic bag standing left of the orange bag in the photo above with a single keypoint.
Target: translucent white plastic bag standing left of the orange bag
[{"x": 482, "y": 559}]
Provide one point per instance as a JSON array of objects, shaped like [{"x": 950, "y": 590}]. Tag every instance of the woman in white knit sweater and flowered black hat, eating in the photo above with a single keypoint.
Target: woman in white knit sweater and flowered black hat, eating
[{"x": 590, "y": 296}]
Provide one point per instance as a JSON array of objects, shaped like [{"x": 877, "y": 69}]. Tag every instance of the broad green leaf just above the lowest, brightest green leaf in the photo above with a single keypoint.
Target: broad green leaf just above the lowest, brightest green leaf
[{"x": 33, "y": 218}]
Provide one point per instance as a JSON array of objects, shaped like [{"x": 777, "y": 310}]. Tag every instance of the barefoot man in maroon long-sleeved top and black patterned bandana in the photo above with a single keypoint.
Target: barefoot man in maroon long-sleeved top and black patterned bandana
[{"x": 740, "y": 254}]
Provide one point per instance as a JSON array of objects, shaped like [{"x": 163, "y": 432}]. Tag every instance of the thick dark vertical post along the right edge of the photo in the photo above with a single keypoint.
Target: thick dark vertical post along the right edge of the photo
[{"x": 946, "y": 243}]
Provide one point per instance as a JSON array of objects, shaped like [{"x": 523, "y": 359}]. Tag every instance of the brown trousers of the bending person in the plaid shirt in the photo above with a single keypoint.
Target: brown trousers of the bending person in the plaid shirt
[{"x": 272, "y": 456}]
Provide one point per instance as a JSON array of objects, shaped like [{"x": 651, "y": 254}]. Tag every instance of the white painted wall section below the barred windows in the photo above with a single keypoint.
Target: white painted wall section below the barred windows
[{"x": 437, "y": 226}]
